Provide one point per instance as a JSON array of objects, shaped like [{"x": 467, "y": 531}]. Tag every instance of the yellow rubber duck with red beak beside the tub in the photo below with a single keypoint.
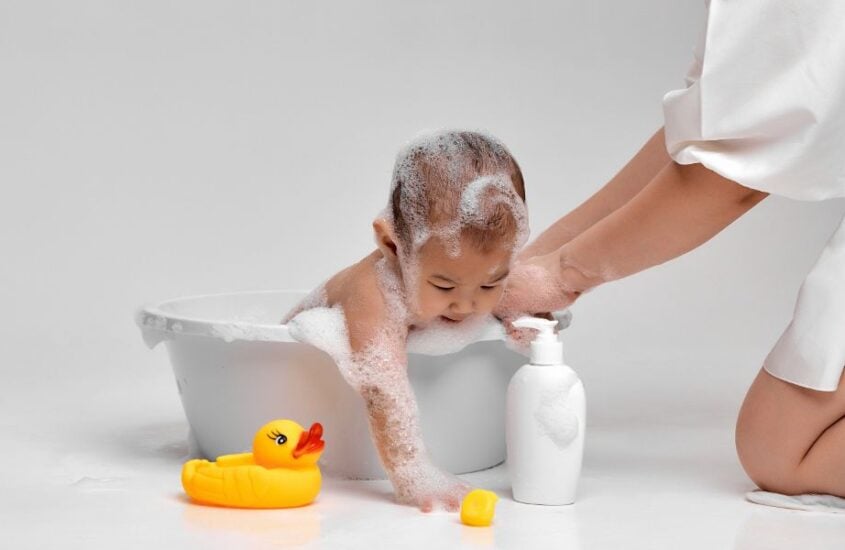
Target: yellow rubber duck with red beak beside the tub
[{"x": 280, "y": 472}]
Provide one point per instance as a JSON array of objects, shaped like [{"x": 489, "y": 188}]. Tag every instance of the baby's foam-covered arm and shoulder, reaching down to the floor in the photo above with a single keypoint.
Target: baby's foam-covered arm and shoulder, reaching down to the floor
[{"x": 375, "y": 364}]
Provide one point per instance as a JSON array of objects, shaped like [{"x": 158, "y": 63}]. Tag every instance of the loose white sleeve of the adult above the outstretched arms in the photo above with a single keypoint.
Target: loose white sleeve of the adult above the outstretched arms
[{"x": 764, "y": 104}]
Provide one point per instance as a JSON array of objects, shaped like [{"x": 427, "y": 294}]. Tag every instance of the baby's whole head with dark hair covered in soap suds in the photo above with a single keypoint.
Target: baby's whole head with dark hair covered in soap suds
[{"x": 455, "y": 219}]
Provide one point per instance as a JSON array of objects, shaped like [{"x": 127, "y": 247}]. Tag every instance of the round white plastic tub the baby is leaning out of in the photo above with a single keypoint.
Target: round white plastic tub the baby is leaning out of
[{"x": 236, "y": 368}]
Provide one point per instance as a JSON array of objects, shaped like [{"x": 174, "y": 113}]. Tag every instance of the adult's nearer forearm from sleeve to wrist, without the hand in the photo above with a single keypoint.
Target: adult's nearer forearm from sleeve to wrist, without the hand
[{"x": 683, "y": 207}]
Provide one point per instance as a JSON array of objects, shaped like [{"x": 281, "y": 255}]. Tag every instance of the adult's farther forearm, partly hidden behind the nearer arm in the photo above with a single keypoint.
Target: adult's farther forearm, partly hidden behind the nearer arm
[{"x": 635, "y": 175}]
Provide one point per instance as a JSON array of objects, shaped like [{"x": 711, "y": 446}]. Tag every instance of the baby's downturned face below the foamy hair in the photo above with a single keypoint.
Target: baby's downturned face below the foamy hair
[{"x": 454, "y": 288}]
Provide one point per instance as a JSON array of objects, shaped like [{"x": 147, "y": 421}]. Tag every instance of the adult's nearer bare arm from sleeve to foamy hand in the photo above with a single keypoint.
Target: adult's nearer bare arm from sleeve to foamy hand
[{"x": 681, "y": 208}]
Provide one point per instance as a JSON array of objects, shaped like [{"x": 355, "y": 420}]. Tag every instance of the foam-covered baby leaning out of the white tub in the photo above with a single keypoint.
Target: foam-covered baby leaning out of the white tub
[{"x": 455, "y": 218}]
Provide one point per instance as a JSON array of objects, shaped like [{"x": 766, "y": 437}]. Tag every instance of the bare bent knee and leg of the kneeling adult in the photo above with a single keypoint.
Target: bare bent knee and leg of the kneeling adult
[{"x": 791, "y": 439}]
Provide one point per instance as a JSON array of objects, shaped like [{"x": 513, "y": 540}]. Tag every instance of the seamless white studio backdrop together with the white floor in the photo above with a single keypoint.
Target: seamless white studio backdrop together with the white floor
[{"x": 156, "y": 149}]
